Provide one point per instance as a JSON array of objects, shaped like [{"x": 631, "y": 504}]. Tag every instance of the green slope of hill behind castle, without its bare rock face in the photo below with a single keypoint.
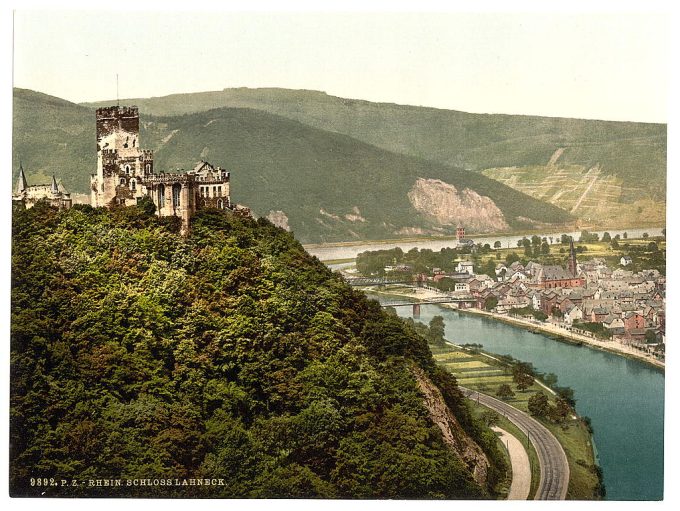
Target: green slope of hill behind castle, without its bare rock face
[{"x": 277, "y": 163}]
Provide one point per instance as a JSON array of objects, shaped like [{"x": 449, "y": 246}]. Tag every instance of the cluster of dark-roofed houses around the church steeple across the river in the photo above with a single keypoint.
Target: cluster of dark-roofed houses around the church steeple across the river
[{"x": 627, "y": 304}]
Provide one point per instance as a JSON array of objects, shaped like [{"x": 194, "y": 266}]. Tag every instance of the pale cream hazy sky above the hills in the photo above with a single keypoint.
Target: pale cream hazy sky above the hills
[{"x": 605, "y": 66}]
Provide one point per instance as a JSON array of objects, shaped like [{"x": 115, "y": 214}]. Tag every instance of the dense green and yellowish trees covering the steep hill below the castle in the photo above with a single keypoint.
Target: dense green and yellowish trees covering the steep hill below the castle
[{"x": 231, "y": 354}]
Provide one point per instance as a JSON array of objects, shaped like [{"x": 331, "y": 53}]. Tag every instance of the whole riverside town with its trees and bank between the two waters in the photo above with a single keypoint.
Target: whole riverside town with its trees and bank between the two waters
[{"x": 618, "y": 299}]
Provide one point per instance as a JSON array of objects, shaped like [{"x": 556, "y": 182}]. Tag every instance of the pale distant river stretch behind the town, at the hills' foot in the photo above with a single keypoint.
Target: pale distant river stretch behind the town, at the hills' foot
[{"x": 331, "y": 251}]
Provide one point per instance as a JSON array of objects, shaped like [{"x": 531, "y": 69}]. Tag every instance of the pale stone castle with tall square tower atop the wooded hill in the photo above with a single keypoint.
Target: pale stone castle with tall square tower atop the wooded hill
[{"x": 125, "y": 173}]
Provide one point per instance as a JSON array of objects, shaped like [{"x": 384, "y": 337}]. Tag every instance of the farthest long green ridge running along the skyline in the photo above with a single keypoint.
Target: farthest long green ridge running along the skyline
[{"x": 633, "y": 152}]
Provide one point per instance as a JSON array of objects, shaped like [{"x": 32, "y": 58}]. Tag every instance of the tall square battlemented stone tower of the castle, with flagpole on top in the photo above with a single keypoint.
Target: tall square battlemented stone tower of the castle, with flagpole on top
[{"x": 122, "y": 165}]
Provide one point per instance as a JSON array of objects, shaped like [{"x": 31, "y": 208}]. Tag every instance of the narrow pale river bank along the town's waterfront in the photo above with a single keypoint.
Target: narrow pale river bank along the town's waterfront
[{"x": 554, "y": 331}]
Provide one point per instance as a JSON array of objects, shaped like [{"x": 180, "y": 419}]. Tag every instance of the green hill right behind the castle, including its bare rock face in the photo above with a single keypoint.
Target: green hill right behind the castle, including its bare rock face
[{"x": 325, "y": 186}]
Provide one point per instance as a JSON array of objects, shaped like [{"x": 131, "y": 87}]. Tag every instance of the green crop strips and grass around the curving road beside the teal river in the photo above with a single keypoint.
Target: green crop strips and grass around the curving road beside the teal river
[{"x": 483, "y": 373}]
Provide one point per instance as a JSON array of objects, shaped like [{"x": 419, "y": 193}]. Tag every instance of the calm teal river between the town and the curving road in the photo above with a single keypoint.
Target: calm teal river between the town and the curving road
[{"x": 623, "y": 398}]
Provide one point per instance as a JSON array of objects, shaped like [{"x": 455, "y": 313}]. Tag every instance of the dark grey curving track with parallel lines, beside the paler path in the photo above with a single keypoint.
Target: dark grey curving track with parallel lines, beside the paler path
[{"x": 551, "y": 457}]
